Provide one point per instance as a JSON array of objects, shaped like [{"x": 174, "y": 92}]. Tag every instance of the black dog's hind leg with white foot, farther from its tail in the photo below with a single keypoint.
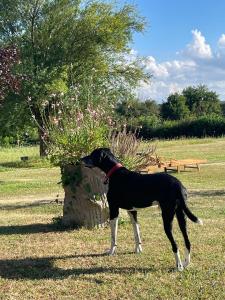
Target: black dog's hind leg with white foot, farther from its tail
[{"x": 167, "y": 222}]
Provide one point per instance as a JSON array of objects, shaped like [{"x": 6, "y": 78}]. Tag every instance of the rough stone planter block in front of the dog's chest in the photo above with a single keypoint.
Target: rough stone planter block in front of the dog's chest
[{"x": 85, "y": 201}]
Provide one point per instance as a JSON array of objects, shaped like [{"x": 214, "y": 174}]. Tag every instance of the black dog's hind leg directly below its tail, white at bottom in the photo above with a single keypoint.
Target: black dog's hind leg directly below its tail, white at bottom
[{"x": 181, "y": 218}]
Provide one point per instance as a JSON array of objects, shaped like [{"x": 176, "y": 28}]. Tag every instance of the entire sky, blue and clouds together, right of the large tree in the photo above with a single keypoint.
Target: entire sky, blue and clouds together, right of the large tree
[{"x": 183, "y": 43}]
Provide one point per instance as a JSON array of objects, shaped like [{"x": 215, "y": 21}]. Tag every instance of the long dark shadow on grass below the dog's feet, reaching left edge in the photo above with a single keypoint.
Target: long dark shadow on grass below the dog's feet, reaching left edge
[{"x": 43, "y": 268}]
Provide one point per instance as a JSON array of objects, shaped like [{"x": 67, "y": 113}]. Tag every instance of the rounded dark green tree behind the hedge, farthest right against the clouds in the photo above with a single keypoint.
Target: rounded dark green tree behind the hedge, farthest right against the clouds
[{"x": 202, "y": 101}]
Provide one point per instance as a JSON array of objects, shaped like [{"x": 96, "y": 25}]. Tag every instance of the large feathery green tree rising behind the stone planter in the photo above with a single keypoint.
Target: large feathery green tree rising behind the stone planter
[{"x": 71, "y": 43}]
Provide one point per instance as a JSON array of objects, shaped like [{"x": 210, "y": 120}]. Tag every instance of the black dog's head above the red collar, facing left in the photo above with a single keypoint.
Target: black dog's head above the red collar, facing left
[{"x": 101, "y": 158}]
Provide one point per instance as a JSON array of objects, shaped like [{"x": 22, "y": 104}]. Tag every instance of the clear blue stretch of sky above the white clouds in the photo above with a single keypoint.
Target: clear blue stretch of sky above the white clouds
[{"x": 170, "y": 23}]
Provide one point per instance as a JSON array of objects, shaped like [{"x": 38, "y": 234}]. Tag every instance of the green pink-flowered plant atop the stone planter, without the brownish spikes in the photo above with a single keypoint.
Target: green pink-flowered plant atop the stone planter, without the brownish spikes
[{"x": 72, "y": 129}]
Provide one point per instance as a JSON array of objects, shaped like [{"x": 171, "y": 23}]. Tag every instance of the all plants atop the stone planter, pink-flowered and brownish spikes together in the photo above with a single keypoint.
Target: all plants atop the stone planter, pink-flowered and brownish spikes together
[{"x": 73, "y": 127}]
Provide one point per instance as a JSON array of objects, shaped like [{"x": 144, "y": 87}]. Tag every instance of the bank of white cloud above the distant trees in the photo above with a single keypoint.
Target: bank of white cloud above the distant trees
[{"x": 197, "y": 64}]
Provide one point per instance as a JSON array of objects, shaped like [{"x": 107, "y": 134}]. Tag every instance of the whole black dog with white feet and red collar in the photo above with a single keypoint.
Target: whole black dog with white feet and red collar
[{"x": 131, "y": 191}]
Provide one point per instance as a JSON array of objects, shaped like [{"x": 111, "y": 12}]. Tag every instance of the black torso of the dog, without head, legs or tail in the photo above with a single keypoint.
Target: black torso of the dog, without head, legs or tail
[{"x": 138, "y": 190}]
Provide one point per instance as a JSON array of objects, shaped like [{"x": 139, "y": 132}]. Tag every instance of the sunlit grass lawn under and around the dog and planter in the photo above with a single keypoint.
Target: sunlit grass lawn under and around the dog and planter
[{"x": 41, "y": 260}]
